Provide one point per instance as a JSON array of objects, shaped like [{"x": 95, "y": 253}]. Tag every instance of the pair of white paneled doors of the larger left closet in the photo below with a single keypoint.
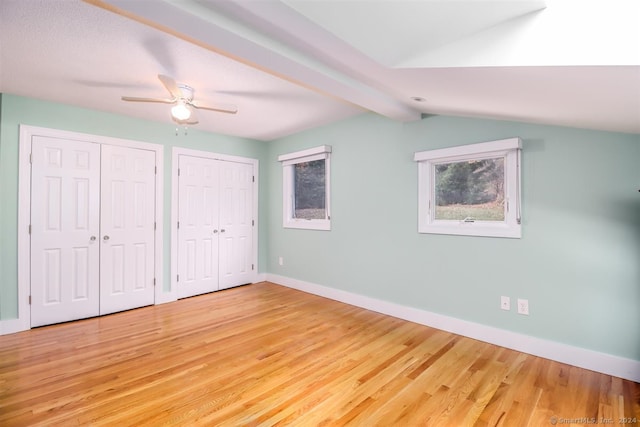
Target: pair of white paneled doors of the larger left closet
[{"x": 92, "y": 237}]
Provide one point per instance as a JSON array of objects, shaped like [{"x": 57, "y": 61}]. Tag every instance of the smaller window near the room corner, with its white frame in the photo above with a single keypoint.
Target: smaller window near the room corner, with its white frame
[{"x": 306, "y": 188}]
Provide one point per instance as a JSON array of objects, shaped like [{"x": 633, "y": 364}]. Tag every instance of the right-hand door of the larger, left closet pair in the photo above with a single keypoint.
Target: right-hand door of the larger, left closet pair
[{"x": 127, "y": 228}]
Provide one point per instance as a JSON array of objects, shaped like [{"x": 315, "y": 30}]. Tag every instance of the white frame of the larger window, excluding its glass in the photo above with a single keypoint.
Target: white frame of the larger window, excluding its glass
[{"x": 510, "y": 150}]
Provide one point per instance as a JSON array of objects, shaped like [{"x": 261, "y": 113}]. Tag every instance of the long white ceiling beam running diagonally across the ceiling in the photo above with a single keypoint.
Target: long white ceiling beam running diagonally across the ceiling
[{"x": 201, "y": 24}]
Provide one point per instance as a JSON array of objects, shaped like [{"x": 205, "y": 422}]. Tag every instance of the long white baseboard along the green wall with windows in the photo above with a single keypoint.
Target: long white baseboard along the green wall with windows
[{"x": 583, "y": 358}]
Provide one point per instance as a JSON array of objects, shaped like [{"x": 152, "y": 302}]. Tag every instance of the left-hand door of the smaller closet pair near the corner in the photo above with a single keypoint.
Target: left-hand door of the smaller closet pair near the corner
[{"x": 198, "y": 232}]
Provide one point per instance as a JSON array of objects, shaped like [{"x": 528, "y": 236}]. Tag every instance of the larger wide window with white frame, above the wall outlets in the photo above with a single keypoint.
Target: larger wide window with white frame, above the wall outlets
[{"x": 471, "y": 190}]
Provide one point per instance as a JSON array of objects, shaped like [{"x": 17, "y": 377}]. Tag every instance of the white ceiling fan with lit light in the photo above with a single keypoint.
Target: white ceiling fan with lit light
[{"x": 182, "y": 97}]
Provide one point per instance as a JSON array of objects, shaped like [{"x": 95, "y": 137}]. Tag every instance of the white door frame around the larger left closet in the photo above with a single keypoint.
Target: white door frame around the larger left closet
[{"x": 24, "y": 209}]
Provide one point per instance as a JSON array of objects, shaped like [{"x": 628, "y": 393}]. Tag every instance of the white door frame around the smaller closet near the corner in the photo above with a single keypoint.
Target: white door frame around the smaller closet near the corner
[{"x": 179, "y": 151}]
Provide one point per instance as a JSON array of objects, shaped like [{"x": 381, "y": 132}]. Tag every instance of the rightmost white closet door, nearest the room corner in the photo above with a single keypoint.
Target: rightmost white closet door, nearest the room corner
[{"x": 236, "y": 228}]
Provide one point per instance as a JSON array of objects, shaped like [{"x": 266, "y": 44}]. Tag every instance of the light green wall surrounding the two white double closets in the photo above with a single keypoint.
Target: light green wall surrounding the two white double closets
[{"x": 15, "y": 110}]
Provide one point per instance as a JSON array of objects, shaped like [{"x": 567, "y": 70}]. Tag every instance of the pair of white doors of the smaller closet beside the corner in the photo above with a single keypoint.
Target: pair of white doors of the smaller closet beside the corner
[{"x": 215, "y": 236}]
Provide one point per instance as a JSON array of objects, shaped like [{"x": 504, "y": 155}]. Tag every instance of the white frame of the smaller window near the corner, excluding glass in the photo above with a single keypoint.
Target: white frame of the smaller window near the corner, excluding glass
[{"x": 288, "y": 161}]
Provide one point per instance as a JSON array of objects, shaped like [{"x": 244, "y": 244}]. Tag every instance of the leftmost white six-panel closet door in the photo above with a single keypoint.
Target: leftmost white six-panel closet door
[{"x": 65, "y": 200}]
